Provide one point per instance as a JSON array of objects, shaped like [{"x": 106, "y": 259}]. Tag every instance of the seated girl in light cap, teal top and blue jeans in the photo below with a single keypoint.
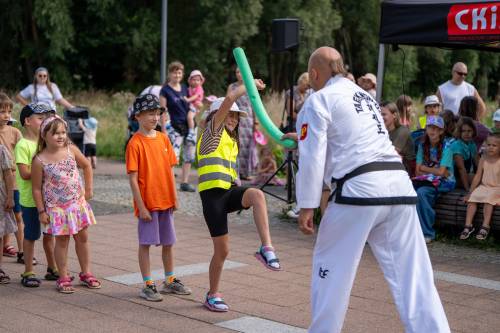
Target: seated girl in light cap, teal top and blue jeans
[{"x": 434, "y": 173}]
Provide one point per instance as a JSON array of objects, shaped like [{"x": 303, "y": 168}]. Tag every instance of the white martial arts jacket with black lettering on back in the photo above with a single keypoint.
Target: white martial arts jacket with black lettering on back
[{"x": 340, "y": 128}]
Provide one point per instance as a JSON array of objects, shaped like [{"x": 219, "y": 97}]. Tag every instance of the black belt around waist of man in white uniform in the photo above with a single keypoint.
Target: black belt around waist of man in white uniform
[{"x": 370, "y": 167}]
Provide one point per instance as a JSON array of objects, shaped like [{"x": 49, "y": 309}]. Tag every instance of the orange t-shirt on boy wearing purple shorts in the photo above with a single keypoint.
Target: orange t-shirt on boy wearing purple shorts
[{"x": 152, "y": 159}]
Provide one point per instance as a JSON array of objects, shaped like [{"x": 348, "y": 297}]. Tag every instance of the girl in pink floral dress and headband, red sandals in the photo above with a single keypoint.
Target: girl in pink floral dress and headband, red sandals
[{"x": 61, "y": 199}]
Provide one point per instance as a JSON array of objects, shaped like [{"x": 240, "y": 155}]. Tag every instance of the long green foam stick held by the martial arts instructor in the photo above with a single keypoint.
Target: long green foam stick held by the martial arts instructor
[{"x": 257, "y": 105}]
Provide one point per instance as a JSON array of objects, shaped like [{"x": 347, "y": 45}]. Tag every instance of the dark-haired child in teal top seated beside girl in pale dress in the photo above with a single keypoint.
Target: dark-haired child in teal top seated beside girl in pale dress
[{"x": 465, "y": 152}]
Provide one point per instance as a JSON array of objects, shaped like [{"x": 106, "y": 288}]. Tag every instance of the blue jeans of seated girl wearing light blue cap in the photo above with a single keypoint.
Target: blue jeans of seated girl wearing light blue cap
[{"x": 426, "y": 199}]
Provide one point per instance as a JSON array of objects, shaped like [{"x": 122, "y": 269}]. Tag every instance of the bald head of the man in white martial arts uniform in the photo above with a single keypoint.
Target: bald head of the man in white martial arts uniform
[{"x": 324, "y": 63}]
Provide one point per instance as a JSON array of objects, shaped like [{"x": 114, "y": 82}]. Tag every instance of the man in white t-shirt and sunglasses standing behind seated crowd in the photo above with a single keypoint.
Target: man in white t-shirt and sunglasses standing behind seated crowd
[{"x": 453, "y": 91}]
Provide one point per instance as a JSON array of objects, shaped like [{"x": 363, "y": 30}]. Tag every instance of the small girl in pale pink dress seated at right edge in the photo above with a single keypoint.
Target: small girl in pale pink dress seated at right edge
[{"x": 485, "y": 189}]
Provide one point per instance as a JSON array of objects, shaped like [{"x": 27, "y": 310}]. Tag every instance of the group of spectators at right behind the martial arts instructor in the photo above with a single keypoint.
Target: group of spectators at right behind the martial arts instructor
[{"x": 449, "y": 148}]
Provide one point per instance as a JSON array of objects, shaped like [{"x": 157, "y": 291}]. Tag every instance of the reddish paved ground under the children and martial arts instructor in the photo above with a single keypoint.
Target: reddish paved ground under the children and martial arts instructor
[{"x": 260, "y": 300}]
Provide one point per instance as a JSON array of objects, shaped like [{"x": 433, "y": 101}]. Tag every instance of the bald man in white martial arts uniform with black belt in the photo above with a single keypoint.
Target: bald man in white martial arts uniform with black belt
[{"x": 342, "y": 137}]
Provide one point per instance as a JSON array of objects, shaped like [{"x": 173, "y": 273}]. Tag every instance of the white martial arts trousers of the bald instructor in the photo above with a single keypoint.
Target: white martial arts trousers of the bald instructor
[{"x": 396, "y": 240}]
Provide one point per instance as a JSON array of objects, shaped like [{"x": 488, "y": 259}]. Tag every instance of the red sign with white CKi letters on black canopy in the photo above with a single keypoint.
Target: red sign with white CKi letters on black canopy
[{"x": 474, "y": 19}]
